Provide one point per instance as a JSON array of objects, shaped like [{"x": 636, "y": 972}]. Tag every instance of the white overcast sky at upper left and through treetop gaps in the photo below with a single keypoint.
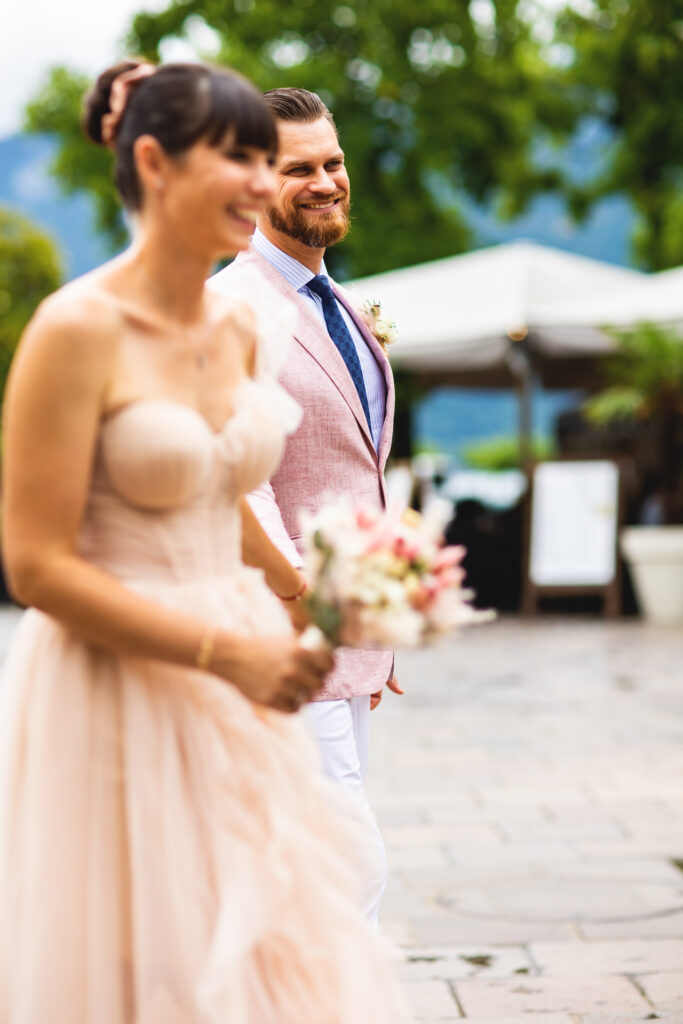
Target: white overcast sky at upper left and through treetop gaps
[{"x": 88, "y": 35}]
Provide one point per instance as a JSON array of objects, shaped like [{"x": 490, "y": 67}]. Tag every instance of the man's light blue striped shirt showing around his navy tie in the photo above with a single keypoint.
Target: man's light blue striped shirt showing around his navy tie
[{"x": 298, "y": 276}]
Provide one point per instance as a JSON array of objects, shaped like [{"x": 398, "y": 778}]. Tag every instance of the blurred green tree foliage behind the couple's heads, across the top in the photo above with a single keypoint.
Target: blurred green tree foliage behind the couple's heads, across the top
[{"x": 436, "y": 101}]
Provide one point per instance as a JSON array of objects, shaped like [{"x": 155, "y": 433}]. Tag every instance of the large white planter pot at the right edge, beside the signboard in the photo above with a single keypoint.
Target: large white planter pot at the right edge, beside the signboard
[{"x": 655, "y": 556}]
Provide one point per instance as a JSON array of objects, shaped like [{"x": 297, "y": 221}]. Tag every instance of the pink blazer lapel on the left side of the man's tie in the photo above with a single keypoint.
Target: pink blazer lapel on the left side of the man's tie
[{"x": 311, "y": 335}]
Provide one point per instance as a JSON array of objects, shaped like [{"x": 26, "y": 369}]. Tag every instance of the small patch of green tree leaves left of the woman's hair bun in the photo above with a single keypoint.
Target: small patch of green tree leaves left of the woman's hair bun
[{"x": 78, "y": 164}]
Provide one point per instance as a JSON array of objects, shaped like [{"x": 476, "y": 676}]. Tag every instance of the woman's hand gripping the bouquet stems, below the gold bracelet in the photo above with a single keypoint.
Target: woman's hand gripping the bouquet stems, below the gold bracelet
[{"x": 276, "y": 672}]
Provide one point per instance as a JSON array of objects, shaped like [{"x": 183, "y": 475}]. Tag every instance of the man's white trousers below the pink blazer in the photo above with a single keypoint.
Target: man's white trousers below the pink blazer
[{"x": 343, "y": 732}]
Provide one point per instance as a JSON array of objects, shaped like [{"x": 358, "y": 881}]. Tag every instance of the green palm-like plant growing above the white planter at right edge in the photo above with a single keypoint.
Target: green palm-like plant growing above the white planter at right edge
[{"x": 646, "y": 376}]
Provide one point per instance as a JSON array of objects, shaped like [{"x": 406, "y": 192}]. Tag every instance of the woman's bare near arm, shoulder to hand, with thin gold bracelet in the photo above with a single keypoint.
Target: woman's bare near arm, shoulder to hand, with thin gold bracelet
[{"x": 56, "y": 397}]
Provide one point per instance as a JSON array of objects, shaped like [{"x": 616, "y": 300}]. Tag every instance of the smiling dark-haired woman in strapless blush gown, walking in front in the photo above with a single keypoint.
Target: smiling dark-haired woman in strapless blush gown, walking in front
[{"x": 166, "y": 851}]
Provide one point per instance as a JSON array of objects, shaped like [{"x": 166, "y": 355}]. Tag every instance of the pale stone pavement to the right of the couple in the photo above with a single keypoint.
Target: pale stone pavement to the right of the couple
[{"x": 530, "y": 789}]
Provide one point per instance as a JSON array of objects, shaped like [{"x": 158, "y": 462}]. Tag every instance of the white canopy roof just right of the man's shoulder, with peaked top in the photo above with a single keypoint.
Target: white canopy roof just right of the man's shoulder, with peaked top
[{"x": 459, "y": 314}]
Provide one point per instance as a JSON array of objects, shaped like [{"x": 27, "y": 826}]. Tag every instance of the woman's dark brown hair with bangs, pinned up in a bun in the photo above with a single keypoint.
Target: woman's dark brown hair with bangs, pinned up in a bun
[{"x": 180, "y": 105}]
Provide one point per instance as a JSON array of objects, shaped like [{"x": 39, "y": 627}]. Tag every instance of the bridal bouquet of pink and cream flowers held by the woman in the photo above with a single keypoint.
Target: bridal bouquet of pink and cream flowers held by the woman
[{"x": 382, "y": 579}]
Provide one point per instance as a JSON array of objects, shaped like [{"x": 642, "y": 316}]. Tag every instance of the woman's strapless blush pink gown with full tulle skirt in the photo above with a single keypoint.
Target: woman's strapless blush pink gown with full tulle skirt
[{"x": 168, "y": 850}]
